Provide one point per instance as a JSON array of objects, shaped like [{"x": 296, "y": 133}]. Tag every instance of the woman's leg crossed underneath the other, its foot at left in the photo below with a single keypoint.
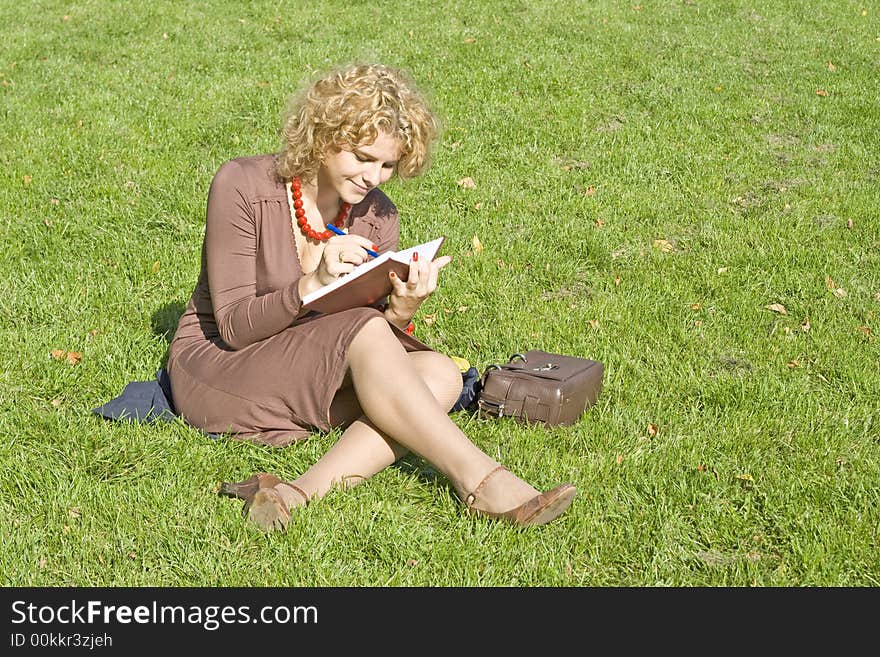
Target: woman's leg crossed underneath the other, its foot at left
[{"x": 363, "y": 450}]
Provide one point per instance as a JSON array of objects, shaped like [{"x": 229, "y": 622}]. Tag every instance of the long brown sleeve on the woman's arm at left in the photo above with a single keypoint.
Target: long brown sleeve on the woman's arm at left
[{"x": 231, "y": 243}]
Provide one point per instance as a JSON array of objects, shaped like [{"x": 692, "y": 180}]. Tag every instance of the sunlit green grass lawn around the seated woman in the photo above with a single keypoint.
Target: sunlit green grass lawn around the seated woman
[{"x": 591, "y": 129}]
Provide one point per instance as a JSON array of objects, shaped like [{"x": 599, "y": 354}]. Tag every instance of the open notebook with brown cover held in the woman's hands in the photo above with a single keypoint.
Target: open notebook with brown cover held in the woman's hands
[{"x": 368, "y": 283}]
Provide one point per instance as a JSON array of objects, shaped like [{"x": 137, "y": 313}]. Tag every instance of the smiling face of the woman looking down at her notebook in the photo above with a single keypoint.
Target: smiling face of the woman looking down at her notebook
[{"x": 353, "y": 173}]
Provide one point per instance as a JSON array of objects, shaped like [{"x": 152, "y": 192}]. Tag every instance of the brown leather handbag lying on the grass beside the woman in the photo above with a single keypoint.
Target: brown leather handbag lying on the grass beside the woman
[{"x": 539, "y": 386}]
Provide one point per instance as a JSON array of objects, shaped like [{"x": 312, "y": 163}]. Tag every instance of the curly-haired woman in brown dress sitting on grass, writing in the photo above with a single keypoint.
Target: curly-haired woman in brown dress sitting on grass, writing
[{"x": 245, "y": 358}]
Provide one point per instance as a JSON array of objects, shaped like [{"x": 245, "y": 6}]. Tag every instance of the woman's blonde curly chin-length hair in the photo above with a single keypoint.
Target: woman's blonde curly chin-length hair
[{"x": 346, "y": 109}]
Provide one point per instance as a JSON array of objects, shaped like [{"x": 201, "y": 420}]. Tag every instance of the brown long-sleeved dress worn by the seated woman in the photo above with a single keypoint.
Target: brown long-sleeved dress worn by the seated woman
[{"x": 241, "y": 362}]
